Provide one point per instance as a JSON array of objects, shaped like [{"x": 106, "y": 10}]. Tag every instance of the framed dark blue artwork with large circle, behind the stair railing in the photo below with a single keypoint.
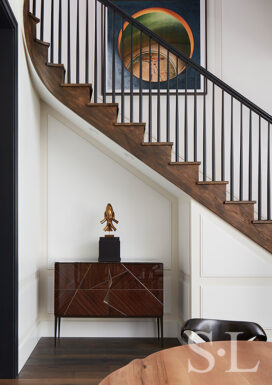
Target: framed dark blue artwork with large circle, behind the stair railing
[{"x": 182, "y": 23}]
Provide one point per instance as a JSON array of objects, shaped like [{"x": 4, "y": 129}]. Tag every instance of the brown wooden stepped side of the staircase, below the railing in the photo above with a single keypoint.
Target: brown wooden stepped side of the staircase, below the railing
[{"x": 130, "y": 137}]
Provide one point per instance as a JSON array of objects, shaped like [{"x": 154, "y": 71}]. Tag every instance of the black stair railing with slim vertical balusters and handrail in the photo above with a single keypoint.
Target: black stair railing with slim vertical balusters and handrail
[{"x": 208, "y": 122}]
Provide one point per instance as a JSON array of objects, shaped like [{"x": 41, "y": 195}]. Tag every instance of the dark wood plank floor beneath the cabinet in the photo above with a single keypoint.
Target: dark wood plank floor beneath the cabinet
[{"x": 83, "y": 361}]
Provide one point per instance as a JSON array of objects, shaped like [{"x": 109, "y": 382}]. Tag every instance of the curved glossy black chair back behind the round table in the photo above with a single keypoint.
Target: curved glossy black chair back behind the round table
[{"x": 219, "y": 330}]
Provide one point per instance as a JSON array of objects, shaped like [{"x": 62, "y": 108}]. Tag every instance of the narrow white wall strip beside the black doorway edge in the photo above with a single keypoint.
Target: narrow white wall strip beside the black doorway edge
[{"x": 29, "y": 202}]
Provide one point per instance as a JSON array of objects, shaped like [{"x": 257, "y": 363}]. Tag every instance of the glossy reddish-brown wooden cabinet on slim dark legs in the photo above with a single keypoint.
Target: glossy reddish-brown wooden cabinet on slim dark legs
[{"x": 108, "y": 290}]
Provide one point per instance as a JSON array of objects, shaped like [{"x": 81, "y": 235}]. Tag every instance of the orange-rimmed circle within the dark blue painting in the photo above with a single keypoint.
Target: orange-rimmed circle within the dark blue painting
[{"x": 169, "y": 26}]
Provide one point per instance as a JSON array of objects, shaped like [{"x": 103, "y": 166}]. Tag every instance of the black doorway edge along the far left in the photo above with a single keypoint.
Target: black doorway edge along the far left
[{"x": 8, "y": 192}]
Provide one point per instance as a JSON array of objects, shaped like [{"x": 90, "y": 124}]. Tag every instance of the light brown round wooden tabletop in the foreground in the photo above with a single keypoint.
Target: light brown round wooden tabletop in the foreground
[{"x": 170, "y": 367}]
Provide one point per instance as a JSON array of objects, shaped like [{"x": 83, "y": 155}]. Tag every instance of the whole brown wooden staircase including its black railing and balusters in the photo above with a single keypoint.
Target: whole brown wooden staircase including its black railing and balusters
[{"x": 183, "y": 147}]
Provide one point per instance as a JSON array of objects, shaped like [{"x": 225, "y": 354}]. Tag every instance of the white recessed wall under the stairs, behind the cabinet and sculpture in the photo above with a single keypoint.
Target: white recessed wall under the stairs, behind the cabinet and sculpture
[{"x": 79, "y": 181}]
